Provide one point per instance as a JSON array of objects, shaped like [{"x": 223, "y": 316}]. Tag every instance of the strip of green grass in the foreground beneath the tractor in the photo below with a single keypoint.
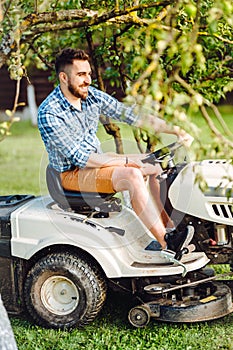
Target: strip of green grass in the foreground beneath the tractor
[{"x": 111, "y": 331}]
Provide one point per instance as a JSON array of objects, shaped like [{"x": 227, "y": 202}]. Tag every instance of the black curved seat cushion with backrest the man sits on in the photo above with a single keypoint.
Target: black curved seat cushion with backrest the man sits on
[{"x": 73, "y": 199}]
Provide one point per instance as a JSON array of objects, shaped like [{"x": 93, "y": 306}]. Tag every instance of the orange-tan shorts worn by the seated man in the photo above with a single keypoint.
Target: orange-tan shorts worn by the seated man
[{"x": 88, "y": 180}]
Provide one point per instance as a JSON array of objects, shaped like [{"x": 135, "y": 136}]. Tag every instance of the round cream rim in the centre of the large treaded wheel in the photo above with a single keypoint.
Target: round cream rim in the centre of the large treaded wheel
[{"x": 59, "y": 295}]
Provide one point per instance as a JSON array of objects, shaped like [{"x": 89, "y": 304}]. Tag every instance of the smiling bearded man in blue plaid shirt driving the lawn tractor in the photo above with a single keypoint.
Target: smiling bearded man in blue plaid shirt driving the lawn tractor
[{"x": 68, "y": 121}]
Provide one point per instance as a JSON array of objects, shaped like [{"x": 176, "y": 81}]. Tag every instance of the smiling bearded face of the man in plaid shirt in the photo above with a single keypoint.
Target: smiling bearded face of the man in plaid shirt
[{"x": 79, "y": 78}]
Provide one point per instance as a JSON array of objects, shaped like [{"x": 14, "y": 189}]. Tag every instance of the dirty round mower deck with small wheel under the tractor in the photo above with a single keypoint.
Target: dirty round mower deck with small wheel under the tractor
[{"x": 203, "y": 302}]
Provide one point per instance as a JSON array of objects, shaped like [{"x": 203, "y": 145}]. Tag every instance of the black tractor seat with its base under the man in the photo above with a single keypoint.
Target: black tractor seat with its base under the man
[{"x": 82, "y": 202}]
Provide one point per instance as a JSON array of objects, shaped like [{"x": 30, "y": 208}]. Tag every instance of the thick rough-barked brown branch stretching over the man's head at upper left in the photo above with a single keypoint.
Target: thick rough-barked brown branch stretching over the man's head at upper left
[{"x": 34, "y": 23}]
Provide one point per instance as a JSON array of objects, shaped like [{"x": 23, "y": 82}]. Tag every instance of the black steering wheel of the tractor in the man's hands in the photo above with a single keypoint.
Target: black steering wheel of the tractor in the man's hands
[{"x": 159, "y": 155}]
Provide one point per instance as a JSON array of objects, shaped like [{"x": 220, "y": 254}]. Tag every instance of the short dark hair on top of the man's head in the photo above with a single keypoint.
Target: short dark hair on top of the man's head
[{"x": 66, "y": 57}]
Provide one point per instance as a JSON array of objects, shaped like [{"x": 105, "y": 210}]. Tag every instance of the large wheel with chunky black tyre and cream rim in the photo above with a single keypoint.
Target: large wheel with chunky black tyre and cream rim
[{"x": 63, "y": 291}]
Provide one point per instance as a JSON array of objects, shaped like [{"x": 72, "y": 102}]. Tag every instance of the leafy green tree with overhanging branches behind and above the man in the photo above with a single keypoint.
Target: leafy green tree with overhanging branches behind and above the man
[{"x": 171, "y": 58}]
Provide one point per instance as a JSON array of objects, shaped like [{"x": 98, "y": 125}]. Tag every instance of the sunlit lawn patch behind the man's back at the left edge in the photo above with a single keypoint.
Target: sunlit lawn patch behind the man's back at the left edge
[{"x": 21, "y": 156}]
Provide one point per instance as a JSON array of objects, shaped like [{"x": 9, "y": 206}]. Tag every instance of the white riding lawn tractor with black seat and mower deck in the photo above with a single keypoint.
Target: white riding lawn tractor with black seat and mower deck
[{"x": 62, "y": 253}]
